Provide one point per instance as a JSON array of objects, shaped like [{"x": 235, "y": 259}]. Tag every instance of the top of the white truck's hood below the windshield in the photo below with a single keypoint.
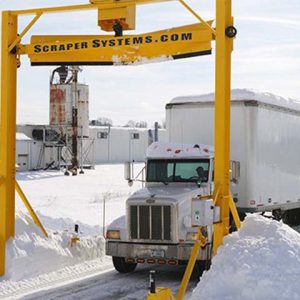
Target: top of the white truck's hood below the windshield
[{"x": 169, "y": 192}]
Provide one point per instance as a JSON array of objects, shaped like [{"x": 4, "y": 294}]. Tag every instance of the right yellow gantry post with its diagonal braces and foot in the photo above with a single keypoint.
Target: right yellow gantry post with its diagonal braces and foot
[{"x": 222, "y": 196}]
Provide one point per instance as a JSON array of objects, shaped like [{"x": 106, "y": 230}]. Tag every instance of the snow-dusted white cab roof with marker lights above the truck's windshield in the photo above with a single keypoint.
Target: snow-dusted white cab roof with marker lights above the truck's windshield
[{"x": 173, "y": 150}]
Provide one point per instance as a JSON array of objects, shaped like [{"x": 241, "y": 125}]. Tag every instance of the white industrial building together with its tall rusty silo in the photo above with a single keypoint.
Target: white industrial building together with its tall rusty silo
[{"x": 68, "y": 141}]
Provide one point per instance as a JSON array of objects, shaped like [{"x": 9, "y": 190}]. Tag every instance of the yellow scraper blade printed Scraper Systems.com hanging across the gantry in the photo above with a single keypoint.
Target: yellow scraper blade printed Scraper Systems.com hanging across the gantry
[{"x": 179, "y": 42}]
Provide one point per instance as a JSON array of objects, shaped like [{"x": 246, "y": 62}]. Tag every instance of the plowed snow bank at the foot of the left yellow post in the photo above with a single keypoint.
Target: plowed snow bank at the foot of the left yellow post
[{"x": 32, "y": 259}]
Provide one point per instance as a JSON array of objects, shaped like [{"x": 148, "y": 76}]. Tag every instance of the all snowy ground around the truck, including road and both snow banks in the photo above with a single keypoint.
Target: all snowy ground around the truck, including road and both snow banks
[{"x": 261, "y": 261}]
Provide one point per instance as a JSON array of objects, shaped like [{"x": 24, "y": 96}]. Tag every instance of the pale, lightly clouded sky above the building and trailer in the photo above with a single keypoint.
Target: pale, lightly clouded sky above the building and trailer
[{"x": 266, "y": 57}]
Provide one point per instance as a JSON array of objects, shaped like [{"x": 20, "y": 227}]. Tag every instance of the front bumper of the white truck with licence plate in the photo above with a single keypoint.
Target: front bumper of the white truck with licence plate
[{"x": 147, "y": 251}]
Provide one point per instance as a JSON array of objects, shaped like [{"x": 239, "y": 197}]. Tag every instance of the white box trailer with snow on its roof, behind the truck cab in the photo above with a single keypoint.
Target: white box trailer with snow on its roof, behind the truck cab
[{"x": 265, "y": 140}]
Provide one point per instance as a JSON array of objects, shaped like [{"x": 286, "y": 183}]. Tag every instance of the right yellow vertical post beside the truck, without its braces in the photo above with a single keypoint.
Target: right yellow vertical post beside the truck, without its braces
[{"x": 224, "y": 47}]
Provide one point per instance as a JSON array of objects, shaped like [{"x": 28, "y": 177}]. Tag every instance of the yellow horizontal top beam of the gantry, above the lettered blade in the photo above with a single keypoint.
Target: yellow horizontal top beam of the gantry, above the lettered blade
[{"x": 105, "y": 4}]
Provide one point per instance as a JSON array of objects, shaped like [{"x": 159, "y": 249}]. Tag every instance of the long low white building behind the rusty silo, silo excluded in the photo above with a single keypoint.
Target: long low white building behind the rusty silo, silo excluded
[{"x": 104, "y": 145}]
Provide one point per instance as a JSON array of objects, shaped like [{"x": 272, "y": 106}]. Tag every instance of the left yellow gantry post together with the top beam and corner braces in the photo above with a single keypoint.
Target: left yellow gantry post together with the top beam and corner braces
[{"x": 9, "y": 61}]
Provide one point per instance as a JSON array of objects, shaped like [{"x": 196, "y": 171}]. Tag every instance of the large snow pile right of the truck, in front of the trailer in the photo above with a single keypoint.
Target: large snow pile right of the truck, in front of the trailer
[{"x": 261, "y": 261}]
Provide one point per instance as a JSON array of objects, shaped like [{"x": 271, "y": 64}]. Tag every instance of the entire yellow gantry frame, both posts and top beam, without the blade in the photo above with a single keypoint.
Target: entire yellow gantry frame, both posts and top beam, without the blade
[{"x": 10, "y": 47}]
